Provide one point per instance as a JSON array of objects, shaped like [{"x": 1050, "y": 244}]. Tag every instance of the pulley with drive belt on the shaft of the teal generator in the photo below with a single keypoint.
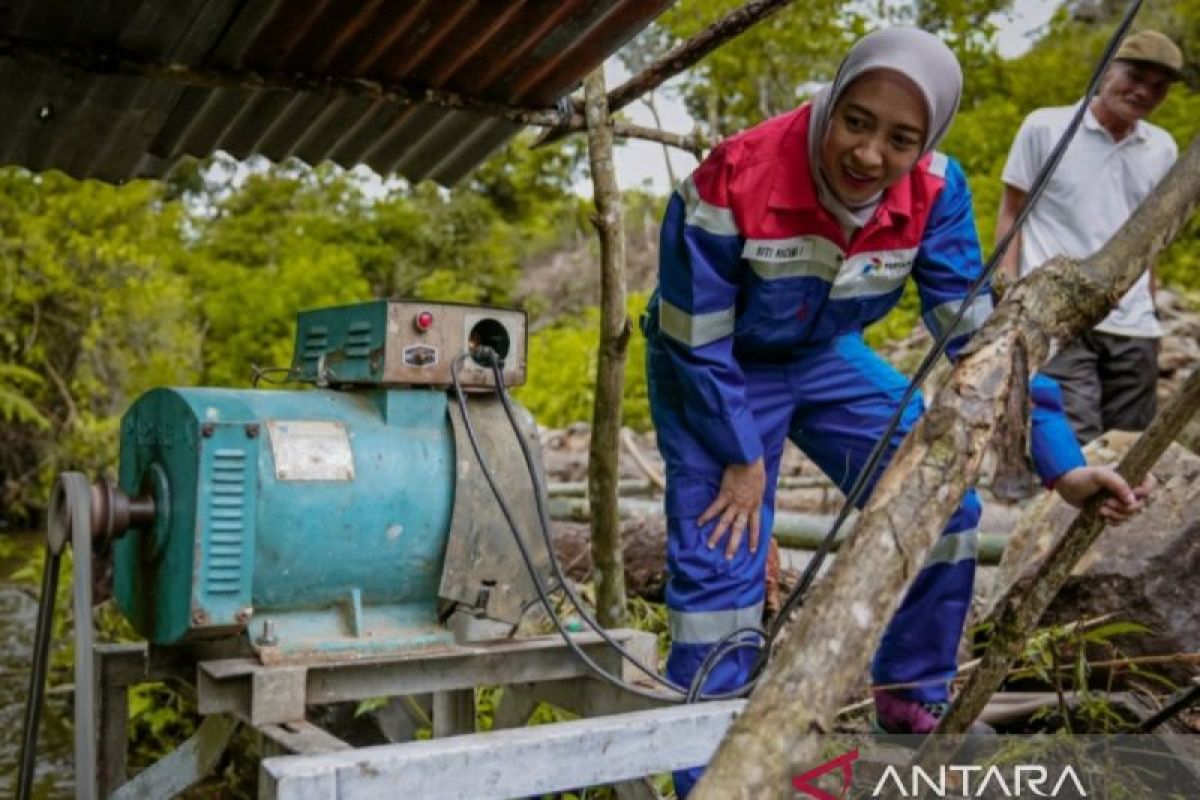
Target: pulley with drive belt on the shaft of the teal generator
[{"x": 86, "y": 516}]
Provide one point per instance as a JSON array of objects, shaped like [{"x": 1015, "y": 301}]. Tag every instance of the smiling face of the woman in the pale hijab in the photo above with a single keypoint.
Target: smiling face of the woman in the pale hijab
[{"x": 875, "y": 136}]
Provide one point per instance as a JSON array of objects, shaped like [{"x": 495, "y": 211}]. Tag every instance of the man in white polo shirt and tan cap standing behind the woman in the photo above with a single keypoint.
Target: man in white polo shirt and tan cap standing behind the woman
[{"x": 1114, "y": 163}]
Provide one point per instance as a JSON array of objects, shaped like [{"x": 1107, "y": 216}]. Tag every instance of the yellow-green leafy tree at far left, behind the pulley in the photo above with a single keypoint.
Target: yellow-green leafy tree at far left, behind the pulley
[{"x": 93, "y": 311}]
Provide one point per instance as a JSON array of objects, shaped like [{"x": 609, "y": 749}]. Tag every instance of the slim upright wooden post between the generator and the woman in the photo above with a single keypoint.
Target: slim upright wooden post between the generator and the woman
[{"x": 603, "y": 459}]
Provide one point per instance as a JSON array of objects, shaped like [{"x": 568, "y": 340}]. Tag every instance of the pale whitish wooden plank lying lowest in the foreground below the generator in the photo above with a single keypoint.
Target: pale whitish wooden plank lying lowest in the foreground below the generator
[{"x": 512, "y": 763}]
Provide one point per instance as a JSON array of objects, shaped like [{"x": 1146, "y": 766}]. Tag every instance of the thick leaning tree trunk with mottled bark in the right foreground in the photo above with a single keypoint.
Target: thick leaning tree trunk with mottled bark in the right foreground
[{"x": 829, "y": 647}]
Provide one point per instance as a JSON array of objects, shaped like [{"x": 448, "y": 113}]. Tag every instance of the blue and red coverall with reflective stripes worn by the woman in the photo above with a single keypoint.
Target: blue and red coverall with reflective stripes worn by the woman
[{"x": 755, "y": 335}]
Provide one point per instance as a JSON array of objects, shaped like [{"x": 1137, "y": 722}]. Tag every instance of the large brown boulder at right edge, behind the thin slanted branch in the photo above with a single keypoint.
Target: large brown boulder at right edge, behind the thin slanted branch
[{"x": 1143, "y": 570}]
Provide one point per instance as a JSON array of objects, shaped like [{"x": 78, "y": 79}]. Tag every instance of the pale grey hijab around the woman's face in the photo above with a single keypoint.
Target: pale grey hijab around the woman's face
[{"x": 919, "y": 56}]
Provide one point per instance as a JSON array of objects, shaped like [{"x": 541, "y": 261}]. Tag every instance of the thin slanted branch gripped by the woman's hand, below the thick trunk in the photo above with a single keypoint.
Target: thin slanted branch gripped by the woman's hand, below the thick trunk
[{"x": 1018, "y": 613}]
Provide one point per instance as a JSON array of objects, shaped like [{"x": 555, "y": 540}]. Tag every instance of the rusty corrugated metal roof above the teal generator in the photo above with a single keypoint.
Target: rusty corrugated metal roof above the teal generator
[{"x": 524, "y": 53}]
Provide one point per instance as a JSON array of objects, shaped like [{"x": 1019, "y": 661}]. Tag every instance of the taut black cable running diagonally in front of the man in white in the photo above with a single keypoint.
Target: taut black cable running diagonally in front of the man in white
[{"x": 867, "y": 474}]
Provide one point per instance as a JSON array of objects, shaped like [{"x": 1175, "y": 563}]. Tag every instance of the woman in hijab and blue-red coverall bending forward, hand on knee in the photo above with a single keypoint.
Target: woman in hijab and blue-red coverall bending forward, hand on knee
[{"x": 776, "y": 254}]
